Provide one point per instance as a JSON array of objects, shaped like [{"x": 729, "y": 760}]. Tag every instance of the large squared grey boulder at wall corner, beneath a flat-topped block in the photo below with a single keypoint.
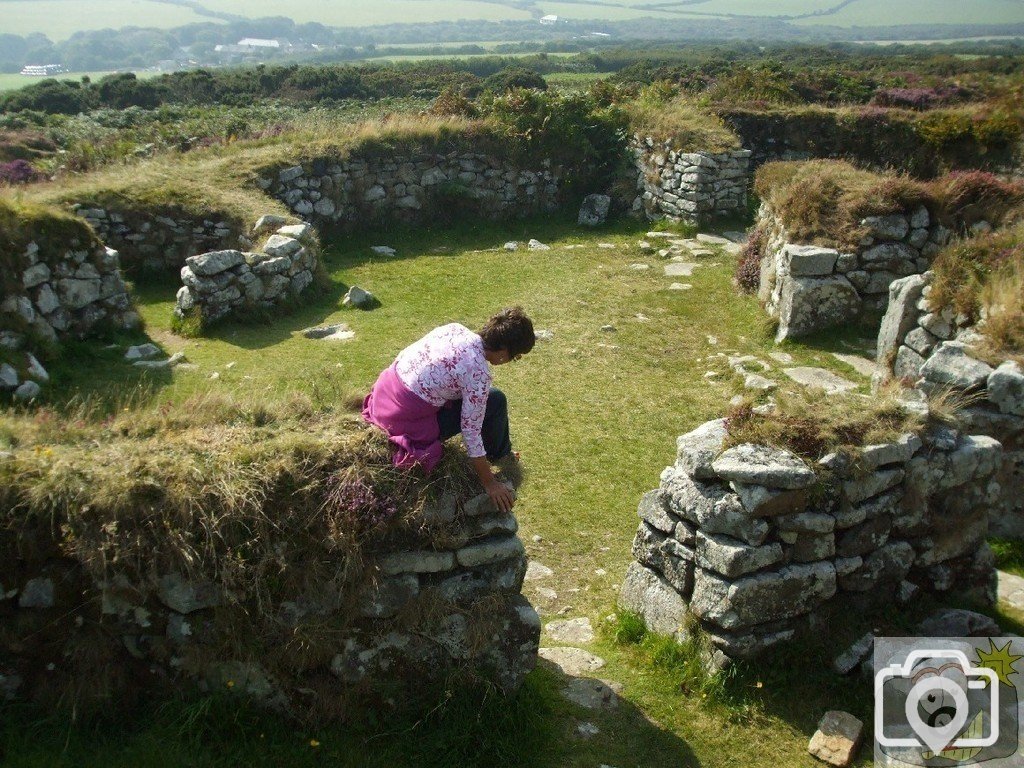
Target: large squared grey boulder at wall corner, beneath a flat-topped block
[{"x": 809, "y": 305}]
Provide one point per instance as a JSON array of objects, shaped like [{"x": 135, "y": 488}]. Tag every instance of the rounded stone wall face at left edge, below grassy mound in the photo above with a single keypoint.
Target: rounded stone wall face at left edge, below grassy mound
[{"x": 64, "y": 294}]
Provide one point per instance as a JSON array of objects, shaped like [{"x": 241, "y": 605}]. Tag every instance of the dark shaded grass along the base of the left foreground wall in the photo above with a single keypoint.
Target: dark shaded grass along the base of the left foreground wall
[{"x": 466, "y": 729}]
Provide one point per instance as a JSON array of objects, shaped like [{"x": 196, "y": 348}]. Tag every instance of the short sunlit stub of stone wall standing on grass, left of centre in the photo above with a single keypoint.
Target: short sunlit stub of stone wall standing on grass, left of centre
[{"x": 221, "y": 283}]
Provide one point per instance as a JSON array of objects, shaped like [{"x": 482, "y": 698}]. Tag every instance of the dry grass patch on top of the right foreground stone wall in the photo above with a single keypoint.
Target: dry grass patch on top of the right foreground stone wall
[{"x": 813, "y": 425}]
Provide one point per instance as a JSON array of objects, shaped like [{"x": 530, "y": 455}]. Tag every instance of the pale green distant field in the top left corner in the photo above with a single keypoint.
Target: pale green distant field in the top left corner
[{"x": 59, "y": 20}]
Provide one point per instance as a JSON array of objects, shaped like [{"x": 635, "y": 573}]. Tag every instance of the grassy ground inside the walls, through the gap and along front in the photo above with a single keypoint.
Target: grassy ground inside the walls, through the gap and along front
[{"x": 595, "y": 414}]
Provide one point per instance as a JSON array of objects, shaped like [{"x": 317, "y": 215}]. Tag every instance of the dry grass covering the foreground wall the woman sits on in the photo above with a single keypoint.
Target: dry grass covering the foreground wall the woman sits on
[{"x": 262, "y": 500}]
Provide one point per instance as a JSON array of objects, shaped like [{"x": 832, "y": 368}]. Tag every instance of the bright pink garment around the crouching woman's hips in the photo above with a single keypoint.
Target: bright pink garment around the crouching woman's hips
[{"x": 410, "y": 421}]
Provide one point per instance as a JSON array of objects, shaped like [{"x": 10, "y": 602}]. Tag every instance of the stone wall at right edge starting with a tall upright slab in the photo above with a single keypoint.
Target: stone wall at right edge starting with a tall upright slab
[{"x": 935, "y": 351}]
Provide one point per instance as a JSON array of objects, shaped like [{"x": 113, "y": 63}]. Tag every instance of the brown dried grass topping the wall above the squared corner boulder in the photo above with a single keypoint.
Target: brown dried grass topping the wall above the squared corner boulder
[{"x": 823, "y": 202}]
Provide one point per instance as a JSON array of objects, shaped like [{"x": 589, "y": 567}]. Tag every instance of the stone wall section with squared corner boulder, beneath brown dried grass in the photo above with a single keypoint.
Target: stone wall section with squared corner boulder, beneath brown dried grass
[{"x": 809, "y": 288}]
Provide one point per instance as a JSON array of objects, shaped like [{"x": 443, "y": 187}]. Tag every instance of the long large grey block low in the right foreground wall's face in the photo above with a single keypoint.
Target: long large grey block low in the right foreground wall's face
[{"x": 790, "y": 592}]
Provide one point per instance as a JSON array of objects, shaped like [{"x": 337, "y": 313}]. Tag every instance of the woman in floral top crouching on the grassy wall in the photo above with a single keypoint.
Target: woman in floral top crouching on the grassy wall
[{"x": 441, "y": 386}]
